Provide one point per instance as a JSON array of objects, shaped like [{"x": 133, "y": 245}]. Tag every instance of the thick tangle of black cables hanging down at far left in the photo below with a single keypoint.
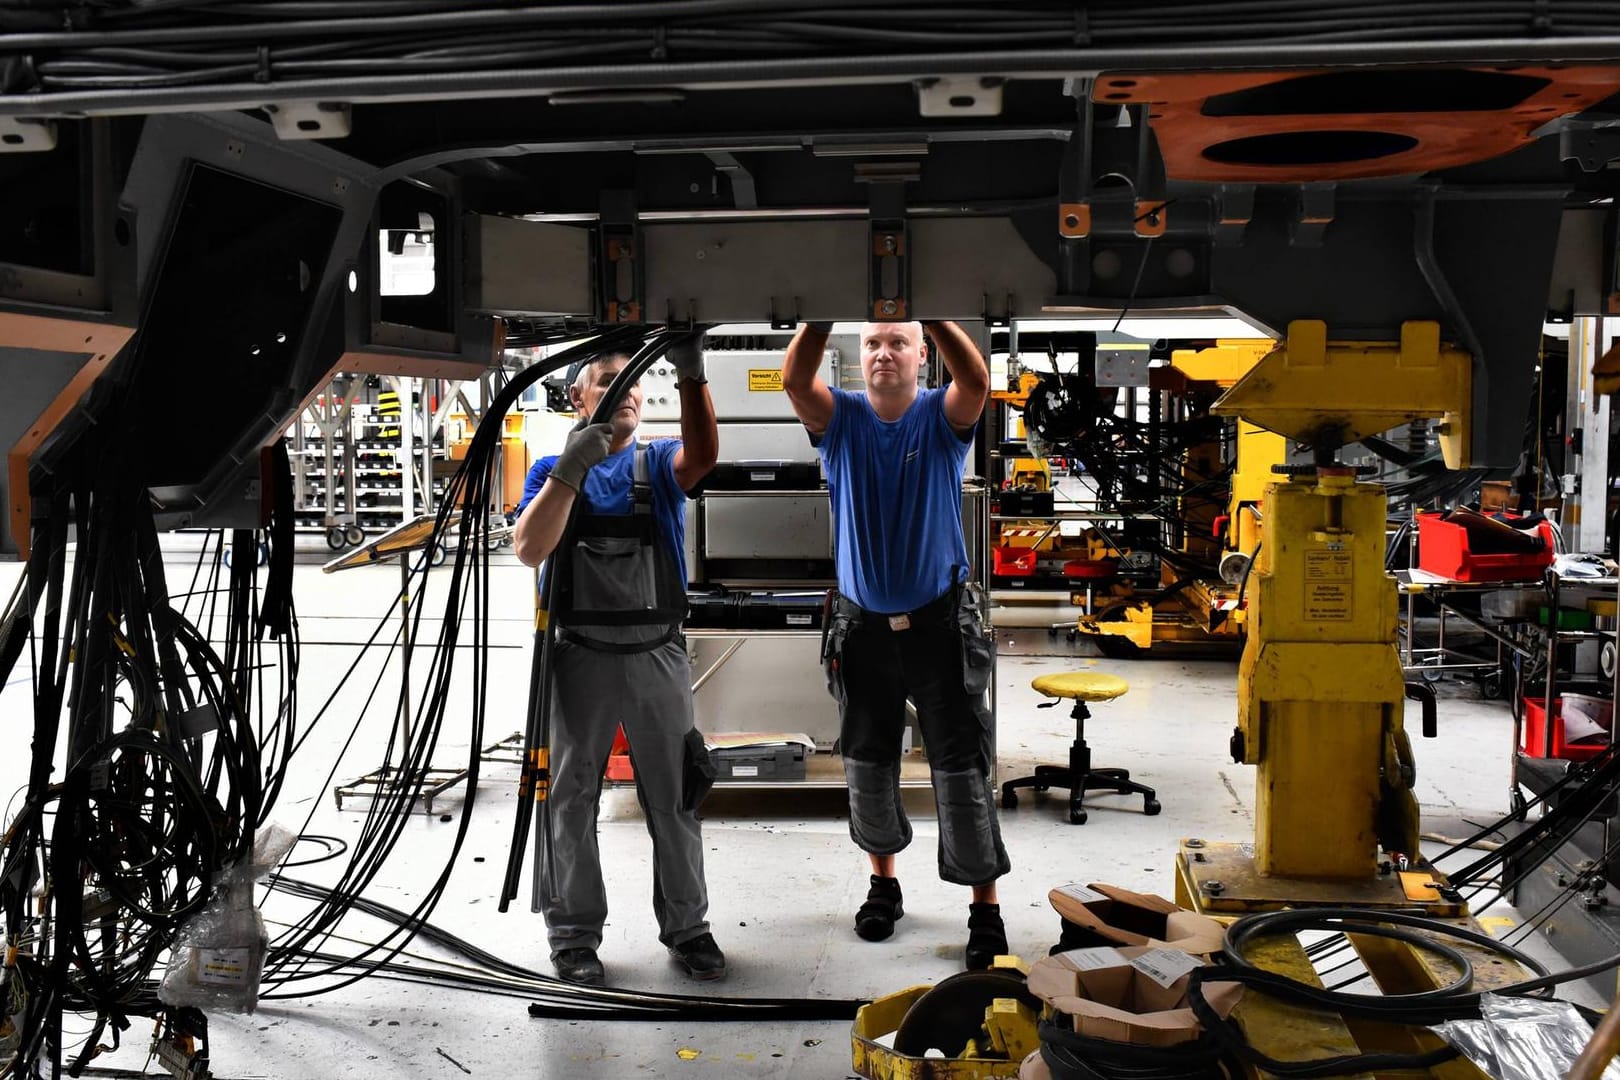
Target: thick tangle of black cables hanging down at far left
[{"x": 160, "y": 747}]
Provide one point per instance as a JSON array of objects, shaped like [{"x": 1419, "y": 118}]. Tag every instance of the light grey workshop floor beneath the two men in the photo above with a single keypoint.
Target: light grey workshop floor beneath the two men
[{"x": 783, "y": 874}]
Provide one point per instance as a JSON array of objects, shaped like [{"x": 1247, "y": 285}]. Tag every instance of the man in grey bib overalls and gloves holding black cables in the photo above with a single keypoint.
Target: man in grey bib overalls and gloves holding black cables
[{"x": 621, "y": 658}]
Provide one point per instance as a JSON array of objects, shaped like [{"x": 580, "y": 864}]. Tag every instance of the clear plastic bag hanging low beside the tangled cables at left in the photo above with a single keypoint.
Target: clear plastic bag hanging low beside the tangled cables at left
[{"x": 218, "y": 958}]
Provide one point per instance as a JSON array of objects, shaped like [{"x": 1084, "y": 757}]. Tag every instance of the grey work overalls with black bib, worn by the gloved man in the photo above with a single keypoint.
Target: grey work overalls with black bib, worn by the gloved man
[{"x": 621, "y": 660}]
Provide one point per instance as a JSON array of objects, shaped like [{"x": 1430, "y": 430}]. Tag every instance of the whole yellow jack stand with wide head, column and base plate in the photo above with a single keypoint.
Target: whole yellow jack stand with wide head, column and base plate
[{"x": 1321, "y": 695}]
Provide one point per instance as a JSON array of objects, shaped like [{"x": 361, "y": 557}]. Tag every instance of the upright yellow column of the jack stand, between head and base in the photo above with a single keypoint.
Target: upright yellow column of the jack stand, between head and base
[{"x": 1321, "y": 684}]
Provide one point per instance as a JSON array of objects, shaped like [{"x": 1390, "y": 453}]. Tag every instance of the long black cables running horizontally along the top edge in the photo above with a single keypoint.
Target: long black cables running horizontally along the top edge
[{"x": 106, "y": 46}]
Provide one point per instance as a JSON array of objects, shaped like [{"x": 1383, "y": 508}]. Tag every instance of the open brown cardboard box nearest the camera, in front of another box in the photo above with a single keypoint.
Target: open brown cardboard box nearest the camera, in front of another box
[{"x": 1135, "y": 995}]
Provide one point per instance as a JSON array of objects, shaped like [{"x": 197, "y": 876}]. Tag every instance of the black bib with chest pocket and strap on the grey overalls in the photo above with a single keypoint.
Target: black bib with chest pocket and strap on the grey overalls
[{"x": 618, "y": 587}]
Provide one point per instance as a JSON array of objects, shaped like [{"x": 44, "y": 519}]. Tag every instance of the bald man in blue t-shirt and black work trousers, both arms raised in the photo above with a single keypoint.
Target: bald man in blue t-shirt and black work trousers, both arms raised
[{"x": 903, "y": 626}]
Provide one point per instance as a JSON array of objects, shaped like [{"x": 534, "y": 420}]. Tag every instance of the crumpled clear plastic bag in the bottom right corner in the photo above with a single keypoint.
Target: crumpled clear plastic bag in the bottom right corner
[{"x": 1524, "y": 1039}]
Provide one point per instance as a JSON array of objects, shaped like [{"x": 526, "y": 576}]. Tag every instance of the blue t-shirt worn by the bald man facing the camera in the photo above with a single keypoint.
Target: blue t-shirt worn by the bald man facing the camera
[{"x": 897, "y": 493}]
